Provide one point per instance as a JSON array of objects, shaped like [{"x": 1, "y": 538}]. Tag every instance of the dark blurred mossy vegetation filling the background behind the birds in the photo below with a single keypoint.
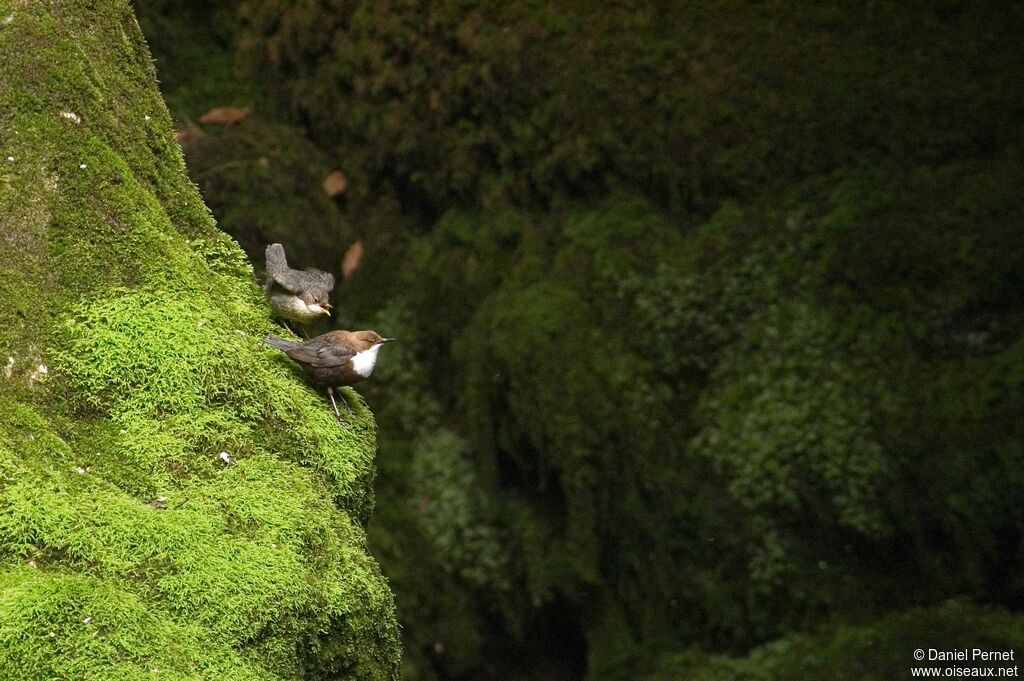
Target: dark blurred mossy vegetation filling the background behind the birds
[{"x": 712, "y": 313}]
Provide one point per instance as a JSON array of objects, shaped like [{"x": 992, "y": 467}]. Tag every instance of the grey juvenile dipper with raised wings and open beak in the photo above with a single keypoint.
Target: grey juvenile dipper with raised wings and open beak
[{"x": 300, "y": 295}]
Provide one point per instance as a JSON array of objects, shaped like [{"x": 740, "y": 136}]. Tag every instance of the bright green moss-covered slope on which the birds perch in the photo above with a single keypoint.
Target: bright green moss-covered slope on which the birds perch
[{"x": 174, "y": 499}]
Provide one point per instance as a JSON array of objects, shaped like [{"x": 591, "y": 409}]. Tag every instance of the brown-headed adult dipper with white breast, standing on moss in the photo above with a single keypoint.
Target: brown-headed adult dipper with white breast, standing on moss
[{"x": 335, "y": 359}]
